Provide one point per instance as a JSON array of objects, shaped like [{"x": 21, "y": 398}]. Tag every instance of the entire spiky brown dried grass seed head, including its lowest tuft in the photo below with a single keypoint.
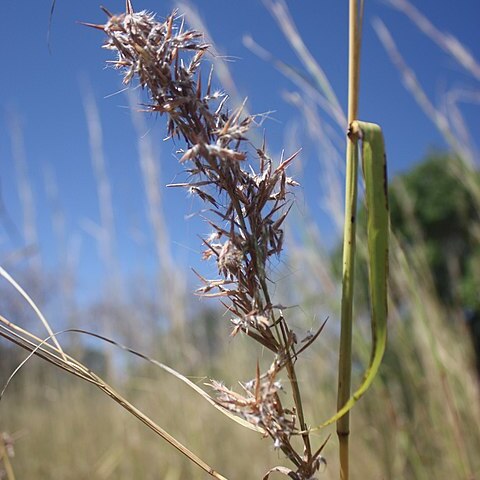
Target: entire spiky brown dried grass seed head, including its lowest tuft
[{"x": 248, "y": 207}]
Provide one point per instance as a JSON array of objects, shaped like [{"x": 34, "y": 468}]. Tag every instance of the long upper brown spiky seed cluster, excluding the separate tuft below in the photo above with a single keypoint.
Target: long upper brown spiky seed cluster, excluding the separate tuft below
[{"x": 248, "y": 206}]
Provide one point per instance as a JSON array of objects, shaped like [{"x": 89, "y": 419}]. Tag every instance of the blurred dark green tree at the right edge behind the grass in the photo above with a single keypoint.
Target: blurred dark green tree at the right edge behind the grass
[{"x": 435, "y": 206}]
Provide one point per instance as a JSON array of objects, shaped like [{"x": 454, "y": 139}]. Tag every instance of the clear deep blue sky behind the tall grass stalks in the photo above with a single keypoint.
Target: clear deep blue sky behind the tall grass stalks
[{"x": 44, "y": 91}]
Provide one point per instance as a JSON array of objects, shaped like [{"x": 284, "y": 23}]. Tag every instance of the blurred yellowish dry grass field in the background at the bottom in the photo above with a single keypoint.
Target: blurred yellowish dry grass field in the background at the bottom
[{"x": 419, "y": 421}]
